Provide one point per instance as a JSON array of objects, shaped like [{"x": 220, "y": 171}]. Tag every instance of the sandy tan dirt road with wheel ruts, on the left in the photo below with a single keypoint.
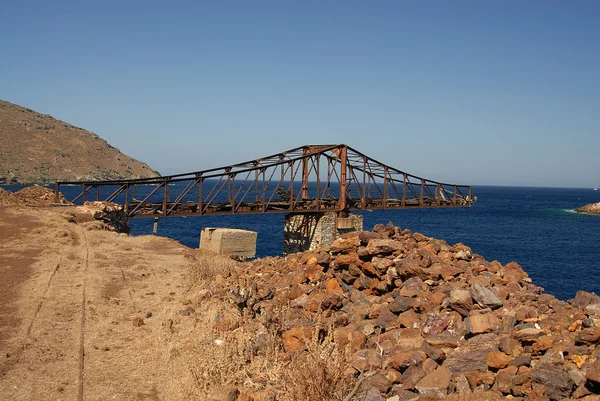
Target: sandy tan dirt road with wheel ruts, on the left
[{"x": 87, "y": 314}]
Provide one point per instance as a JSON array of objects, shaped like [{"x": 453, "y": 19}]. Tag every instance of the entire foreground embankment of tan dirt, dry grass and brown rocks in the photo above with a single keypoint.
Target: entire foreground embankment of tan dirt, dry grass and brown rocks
[{"x": 386, "y": 315}]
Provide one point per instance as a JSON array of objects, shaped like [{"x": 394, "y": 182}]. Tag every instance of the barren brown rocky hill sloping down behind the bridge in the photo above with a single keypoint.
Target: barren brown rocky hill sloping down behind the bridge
[{"x": 37, "y": 148}]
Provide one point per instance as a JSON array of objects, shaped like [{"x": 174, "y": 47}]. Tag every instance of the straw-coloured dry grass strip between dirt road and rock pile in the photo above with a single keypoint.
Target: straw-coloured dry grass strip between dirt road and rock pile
[{"x": 250, "y": 354}]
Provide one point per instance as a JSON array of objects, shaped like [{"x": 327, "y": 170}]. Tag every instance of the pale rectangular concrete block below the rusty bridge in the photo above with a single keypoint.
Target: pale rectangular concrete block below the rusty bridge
[{"x": 229, "y": 241}]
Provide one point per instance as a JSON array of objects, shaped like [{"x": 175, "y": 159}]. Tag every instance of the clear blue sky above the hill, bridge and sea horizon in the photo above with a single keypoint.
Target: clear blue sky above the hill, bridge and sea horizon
[{"x": 474, "y": 92}]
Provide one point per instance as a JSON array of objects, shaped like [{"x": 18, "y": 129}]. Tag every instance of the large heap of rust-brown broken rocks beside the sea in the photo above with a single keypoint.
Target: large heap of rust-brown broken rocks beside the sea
[{"x": 426, "y": 320}]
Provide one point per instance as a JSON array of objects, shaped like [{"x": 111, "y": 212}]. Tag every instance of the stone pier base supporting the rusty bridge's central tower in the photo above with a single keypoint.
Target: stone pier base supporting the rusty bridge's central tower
[{"x": 309, "y": 231}]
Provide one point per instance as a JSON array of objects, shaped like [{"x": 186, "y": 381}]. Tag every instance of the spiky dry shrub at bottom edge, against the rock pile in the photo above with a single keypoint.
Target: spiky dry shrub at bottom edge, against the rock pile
[{"x": 318, "y": 374}]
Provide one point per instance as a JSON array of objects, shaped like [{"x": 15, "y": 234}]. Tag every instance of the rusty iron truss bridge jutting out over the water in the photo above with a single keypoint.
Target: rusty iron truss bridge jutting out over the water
[{"x": 312, "y": 178}]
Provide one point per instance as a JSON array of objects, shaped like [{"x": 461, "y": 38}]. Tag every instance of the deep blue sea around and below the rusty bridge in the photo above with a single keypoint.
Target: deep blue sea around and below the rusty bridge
[{"x": 535, "y": 227}]
